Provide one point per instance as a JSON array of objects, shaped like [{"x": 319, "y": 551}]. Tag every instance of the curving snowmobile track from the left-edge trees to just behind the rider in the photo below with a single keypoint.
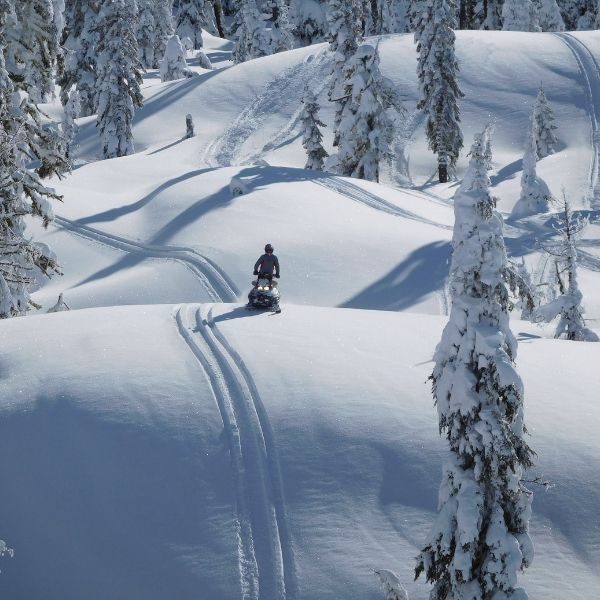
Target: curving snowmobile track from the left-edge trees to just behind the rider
[{"x": 213, "y": 279}]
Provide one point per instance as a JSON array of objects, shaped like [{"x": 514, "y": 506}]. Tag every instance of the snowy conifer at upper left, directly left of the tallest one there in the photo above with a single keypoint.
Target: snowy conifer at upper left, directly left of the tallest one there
[{"x": 80, "y": 40}]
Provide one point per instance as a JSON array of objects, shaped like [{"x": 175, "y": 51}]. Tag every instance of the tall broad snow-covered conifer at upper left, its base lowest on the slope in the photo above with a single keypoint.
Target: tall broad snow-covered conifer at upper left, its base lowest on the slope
[{"x": 119, "y": 77}]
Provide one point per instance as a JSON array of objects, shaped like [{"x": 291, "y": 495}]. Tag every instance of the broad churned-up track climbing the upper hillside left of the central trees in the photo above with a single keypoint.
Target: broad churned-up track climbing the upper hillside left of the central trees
[{"x": 224, "y": 150}]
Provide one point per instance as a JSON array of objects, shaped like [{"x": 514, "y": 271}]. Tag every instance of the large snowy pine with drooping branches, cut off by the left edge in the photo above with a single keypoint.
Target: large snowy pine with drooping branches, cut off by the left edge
[{"x": 22, "y": 194}]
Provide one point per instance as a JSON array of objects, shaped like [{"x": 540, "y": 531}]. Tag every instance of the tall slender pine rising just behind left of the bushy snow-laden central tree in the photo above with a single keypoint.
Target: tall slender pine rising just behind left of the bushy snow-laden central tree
[{"x": 343, "y": 17}]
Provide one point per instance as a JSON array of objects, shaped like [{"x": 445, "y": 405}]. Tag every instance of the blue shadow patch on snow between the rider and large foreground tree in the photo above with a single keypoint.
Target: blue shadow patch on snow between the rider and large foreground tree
[{"x": 421, "y": 273}]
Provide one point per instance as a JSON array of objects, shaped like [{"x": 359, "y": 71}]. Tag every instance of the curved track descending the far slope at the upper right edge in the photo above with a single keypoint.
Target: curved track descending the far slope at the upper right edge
[{"x": 590, "y": 72}]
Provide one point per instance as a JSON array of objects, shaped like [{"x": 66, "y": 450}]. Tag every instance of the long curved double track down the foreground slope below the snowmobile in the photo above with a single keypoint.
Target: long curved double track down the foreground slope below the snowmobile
[{"x": 267, "y": 568}]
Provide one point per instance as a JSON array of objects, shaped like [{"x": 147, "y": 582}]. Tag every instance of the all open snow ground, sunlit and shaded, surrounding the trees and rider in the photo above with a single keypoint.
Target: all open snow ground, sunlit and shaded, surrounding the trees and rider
[{"x": 169, "y": 449}]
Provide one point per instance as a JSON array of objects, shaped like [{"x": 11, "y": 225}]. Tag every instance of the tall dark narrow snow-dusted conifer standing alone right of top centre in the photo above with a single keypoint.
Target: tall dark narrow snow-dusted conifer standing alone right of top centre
[{"x": 437, "y": 70}]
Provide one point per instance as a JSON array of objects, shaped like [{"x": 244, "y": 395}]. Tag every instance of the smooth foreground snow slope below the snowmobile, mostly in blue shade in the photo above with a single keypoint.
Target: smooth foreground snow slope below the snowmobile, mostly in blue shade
[{"x": 160, "y": 452}]
